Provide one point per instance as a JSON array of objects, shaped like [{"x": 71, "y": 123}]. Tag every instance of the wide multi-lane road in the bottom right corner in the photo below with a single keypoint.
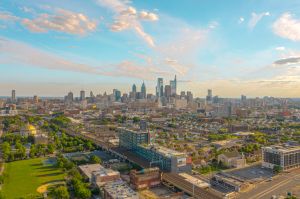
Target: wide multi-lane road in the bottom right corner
[{"x": 280, "y": 185}]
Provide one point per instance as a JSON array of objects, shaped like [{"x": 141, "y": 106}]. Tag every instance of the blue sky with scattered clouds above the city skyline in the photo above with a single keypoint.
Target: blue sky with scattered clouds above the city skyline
[{"x": 233, "y": 47}]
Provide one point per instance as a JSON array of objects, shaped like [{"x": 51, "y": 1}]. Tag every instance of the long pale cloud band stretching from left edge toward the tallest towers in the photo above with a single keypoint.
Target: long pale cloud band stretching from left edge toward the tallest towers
[{"x": 19, "y": 53}]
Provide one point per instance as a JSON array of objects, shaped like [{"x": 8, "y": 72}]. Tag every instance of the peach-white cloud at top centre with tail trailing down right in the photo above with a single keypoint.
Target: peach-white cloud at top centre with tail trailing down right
[{"x": 126, "y": 17}]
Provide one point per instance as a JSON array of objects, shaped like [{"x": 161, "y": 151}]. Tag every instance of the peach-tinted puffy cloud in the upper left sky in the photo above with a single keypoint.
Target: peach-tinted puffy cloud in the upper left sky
[{"x": 62, "y": 21}]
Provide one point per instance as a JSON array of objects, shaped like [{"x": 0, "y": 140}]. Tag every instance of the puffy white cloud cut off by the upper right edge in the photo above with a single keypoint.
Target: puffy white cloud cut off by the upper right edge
[{"x": 287, "y": 27}]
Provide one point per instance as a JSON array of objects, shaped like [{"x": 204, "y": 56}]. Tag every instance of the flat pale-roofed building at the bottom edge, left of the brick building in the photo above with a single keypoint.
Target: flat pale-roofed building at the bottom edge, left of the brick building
[{"x": 119, "y": 189}]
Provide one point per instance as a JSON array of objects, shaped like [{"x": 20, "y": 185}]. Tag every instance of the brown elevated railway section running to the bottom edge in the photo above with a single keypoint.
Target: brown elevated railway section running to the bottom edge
[{"x": 175, "y": 180}]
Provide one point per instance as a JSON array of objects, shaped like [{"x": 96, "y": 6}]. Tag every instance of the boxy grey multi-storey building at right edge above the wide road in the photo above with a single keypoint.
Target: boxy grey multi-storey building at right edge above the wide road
[{"x": 284, "y": 156}]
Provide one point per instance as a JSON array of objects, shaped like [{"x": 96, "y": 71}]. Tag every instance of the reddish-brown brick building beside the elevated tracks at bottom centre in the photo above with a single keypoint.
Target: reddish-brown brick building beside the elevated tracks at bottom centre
[{"x": 146, "y": 178}]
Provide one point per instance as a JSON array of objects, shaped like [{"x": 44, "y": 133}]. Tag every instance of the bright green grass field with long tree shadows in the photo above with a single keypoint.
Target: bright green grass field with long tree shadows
[{"x": 24, "y": 177}]
